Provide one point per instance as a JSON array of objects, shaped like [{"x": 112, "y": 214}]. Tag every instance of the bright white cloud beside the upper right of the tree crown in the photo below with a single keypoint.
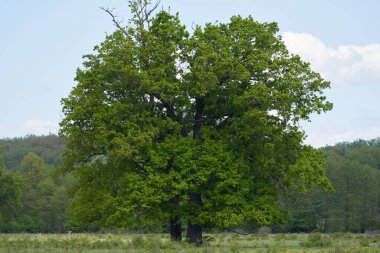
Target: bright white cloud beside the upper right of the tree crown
[{"x": 346, "y": 64}]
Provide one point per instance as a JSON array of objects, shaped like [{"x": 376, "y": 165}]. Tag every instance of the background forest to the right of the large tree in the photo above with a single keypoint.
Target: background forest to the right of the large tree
[{"x": 353, "y": 169}]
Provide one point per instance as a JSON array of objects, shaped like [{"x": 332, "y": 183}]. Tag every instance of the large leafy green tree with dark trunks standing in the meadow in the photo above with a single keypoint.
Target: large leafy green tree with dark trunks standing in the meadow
[{"x": 200, "y": 126}]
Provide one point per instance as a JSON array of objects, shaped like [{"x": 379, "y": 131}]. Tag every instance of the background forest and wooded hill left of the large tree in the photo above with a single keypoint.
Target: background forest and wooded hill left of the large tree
[{"x": 33, "y": 195}]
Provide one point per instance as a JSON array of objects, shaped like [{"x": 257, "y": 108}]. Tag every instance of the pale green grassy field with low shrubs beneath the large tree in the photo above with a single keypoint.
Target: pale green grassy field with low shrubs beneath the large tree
[{"x": 223, "y": 242}]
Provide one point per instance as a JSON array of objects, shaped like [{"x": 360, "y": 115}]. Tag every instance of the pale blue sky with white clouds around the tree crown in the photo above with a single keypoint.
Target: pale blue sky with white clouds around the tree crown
[{"x": 43, "y": 41}]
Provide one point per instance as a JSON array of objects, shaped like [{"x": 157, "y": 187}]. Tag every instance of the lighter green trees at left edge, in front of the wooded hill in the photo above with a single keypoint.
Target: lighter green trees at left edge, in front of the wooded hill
[{"x": 32, "y": 198}]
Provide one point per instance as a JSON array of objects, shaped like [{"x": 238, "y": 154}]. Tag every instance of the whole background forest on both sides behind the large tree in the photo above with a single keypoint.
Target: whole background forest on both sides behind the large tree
[{"x": 35, "y": 196}]
